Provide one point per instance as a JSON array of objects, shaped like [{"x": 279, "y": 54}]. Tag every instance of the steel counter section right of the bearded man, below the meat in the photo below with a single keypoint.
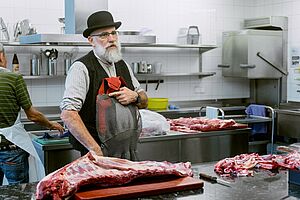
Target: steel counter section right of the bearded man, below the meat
[{"x": 195, "y": 148}]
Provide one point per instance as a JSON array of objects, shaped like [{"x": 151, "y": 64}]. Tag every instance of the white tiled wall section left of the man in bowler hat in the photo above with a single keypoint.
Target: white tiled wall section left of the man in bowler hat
[{"x": 44, "y": 16}]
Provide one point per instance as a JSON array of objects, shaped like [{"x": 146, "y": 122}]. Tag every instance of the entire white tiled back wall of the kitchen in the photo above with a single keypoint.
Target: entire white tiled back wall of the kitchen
[{"x": 164, "y": 18}]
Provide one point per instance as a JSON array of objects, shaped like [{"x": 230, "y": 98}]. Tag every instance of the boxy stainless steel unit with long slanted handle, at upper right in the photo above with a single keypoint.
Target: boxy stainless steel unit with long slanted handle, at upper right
[{"x": 252, "y": 54}]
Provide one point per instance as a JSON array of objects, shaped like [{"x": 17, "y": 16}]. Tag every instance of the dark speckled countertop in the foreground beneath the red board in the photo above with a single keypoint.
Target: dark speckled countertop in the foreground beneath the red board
[{"x": 264, "y": 185}]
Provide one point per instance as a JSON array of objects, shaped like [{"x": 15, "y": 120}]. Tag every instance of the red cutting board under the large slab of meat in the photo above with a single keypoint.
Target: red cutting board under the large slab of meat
[{"x": 142, "y": 188}]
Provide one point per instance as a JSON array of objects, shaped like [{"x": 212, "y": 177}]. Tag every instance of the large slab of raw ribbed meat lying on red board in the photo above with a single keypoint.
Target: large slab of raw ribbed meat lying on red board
[{"x": 103, "y": 171}]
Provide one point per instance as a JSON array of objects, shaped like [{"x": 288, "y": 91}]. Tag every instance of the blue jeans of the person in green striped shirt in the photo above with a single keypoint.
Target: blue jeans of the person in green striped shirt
[{"x": 14, "y": 165}]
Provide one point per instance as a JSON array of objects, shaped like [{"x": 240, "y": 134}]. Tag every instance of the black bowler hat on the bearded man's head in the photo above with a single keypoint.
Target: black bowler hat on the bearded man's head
[{"x": 100, "y": 19}]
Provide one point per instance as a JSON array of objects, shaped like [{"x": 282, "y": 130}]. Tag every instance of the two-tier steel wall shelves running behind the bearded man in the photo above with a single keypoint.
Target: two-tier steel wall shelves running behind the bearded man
[{"x": 64, "y": 45}]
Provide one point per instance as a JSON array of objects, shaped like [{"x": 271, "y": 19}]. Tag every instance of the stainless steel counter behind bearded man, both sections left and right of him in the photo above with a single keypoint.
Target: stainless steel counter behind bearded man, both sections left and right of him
[{"x": 173, "y": 147}]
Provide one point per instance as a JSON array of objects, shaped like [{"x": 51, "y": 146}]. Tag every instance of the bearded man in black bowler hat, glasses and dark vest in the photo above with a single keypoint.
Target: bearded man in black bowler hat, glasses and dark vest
[{"x": 83, "y": 81}]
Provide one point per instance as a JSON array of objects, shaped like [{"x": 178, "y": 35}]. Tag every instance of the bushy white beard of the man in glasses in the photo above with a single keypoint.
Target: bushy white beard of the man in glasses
[{"x": 111, "y": 55}]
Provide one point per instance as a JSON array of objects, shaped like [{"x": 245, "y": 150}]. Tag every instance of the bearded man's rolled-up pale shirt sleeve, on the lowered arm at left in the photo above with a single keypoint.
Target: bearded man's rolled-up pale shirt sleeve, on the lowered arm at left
[{"x": 76, "y": 87}]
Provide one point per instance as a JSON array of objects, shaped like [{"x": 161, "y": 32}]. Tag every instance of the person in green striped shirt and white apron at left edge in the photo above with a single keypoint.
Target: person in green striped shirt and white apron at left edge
[{"x": 14, "y": 96}]
